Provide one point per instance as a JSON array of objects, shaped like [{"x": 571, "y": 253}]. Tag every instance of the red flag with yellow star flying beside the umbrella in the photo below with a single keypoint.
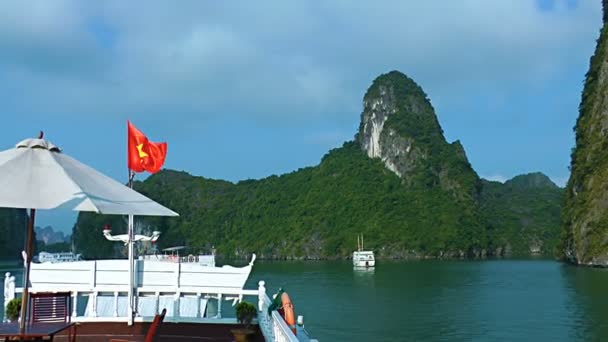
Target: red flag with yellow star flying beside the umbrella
[{"x": 144, "y": 155}]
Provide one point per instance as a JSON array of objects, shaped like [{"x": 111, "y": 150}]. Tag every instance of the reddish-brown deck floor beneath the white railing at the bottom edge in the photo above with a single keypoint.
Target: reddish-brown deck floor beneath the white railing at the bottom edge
[{"x": 169, "y": 331}]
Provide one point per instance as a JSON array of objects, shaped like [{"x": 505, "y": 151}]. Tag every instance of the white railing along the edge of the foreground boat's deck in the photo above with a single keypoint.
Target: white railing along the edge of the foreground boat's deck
[{"x": 272, "y": 325}]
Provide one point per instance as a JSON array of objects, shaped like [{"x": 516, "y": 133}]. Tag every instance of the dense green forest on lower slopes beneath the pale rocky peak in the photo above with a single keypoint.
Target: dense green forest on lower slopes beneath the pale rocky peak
[{"x": 315, "y": 212}]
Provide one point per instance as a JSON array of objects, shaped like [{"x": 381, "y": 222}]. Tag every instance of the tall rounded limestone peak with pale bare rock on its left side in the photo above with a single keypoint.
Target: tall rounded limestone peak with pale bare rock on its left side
[{"x": 399, "y": 127}]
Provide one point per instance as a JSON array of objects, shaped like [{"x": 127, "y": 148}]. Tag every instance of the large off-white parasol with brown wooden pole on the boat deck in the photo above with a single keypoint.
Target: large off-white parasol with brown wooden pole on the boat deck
[{"x": 36, "y": 175}]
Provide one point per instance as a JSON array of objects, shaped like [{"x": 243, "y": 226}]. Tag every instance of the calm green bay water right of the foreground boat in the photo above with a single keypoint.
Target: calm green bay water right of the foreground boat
[{"x": 502, "y": 300}]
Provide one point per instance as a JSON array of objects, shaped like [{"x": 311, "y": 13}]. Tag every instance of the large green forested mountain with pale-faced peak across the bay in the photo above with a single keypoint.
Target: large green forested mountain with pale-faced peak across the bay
[{"x": 399, "y": 183}]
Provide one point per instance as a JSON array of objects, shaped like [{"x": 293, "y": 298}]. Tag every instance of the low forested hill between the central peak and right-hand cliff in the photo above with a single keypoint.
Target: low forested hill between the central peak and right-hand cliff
[{"x": 523, "y": 214}]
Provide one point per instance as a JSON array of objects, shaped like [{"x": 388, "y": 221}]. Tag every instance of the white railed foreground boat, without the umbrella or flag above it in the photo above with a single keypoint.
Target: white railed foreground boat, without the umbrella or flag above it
[{"x": 195, "y": 291}]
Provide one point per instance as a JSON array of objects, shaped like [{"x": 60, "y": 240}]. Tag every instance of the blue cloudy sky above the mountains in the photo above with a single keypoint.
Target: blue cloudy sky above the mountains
[{"x": 244, "y": 90}]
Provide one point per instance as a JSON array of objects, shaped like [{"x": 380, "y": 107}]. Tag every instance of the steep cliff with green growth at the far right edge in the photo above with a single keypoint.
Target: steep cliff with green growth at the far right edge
[{"x": 585, "y": 214}]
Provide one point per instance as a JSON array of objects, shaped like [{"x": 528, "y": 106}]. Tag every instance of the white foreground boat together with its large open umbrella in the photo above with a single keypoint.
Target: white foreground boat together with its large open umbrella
[{"x": 119, "y": 298}]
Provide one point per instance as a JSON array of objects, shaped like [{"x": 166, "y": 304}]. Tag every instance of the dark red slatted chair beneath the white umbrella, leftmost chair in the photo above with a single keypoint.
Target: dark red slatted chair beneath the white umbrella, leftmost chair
[{"x": 51, "y": 307}]
